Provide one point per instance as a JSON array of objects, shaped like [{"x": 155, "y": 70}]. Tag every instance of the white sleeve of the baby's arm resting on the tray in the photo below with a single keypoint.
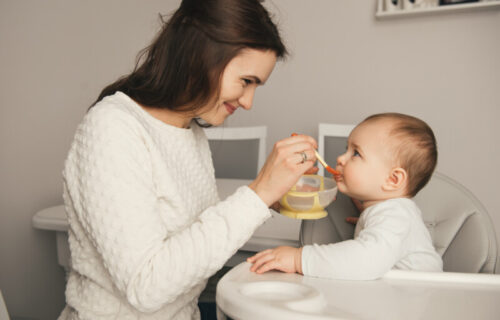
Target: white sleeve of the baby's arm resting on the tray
[{"x": 369, "y": 256}]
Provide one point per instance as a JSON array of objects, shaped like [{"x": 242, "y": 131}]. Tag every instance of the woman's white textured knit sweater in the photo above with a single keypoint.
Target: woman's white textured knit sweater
[{"x": 147, "y": 227}]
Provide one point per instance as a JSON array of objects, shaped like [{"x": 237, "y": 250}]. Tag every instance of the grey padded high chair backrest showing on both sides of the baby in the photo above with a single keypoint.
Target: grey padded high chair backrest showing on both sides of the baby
[{"x": 460, "y": 227}]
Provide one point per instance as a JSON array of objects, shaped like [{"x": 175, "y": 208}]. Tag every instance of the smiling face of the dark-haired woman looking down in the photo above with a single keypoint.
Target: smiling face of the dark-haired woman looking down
[{"x": 249, "y": 69}]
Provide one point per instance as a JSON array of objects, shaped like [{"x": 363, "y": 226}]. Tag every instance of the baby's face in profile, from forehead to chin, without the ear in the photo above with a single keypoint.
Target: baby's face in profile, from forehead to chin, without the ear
[{"x": 367, "y": 162}]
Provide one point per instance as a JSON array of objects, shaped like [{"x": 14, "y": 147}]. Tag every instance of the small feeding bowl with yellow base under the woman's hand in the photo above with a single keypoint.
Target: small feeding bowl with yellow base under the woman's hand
[{"x": 309, "y": 197}]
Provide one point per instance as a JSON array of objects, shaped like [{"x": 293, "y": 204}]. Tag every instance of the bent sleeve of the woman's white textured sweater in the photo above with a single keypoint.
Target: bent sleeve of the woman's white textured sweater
[{"x": 108, "y": 177}]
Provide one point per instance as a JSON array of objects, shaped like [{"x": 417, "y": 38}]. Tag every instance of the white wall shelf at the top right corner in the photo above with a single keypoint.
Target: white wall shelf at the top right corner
[{"x": 482, "y": 5}]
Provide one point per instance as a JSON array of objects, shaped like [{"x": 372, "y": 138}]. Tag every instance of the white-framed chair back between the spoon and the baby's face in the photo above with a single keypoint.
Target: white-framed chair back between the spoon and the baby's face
[{"x": 332, "y": 141}]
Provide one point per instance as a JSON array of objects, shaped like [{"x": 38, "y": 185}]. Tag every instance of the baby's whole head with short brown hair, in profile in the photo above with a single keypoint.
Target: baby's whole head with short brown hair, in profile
[{"x": 389, "y": 155}]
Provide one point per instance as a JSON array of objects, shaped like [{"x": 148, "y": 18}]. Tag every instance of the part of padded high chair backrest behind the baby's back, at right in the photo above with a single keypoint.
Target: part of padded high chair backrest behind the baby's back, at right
[{"x": 460, "y": 226}]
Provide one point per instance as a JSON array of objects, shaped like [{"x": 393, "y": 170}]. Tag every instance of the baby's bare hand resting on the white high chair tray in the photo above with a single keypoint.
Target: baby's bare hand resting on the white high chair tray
[{"x": 286, "y": 259}]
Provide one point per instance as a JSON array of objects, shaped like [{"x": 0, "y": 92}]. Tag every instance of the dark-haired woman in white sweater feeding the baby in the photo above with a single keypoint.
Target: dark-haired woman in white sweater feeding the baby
[{"x": 147, "y": 228}]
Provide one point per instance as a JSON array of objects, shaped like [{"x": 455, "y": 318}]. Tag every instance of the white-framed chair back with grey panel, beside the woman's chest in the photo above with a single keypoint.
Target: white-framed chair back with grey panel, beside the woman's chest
[{"x": 238, "y": 152}]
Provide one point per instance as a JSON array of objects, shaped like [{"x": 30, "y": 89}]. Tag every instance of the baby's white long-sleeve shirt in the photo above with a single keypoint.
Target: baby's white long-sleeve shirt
[{"x": 388, "y": 235}]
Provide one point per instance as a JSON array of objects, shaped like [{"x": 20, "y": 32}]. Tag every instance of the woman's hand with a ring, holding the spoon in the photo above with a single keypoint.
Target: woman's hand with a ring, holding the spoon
[{"x": 284, "y": 166}]
